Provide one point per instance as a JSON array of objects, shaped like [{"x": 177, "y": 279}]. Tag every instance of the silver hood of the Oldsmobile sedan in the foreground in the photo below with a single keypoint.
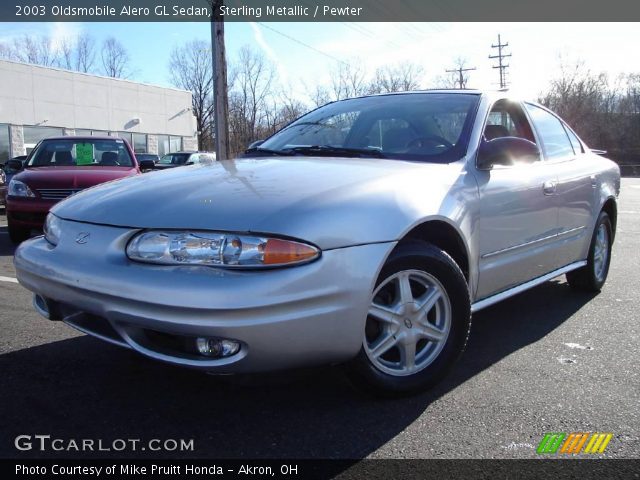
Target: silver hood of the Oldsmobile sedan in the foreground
[{"x": 327, "y": 201}]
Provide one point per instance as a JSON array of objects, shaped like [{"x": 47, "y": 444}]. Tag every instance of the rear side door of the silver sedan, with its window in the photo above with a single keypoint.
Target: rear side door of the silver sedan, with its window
[{"x": 576, "y": 191}]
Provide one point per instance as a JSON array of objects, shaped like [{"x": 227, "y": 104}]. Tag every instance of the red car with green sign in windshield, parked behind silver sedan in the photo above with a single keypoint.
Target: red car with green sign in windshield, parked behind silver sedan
[{"x": 57, "y": 168}]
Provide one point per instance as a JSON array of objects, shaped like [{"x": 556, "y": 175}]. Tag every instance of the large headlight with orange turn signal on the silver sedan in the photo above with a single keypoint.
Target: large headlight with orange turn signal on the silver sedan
[{"x": 217, "y": 249}]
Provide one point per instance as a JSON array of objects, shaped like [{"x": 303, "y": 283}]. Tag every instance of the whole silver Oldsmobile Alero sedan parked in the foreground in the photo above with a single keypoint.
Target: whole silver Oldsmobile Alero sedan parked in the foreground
[{"x": 364, "y": 233}]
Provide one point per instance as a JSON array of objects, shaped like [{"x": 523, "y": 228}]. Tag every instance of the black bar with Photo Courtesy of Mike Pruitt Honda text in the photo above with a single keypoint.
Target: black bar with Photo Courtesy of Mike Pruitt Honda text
[{"x": 322, "y": 469}]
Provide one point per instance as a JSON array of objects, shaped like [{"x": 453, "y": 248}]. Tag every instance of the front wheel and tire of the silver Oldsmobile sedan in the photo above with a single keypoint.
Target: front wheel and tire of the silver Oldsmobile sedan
[{"x": 416, "y": 273}]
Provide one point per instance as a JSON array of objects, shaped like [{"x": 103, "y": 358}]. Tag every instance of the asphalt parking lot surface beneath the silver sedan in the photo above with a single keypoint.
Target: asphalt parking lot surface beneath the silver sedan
[{"x": 548, "y": 360}]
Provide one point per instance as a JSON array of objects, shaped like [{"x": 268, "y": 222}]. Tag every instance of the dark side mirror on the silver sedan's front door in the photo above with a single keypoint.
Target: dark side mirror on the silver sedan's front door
[{"x": 506, "y": 151}]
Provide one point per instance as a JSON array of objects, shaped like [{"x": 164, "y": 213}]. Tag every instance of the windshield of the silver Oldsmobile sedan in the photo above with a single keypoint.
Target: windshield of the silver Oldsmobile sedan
[{"x": 431, "y": 127}]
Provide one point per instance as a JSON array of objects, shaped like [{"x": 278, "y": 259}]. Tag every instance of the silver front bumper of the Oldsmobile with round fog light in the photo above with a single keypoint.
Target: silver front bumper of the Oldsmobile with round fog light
[{"x": 284, "y": 318}]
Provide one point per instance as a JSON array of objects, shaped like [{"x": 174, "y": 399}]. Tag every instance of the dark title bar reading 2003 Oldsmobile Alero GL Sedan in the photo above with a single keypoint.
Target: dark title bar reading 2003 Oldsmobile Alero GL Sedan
[{"x": 319, "y": 11}]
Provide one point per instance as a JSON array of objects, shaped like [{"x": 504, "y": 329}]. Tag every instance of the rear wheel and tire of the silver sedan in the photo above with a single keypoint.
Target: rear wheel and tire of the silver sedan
[{"x": 593, "y": 275}]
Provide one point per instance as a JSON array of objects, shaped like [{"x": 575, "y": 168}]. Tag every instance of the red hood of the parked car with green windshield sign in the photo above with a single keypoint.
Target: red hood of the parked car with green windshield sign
[{"x": 71, "y": 177}]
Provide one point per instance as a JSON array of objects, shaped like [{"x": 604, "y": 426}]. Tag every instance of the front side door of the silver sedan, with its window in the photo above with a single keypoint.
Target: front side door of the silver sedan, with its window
[{"x": 518, "y": 211}]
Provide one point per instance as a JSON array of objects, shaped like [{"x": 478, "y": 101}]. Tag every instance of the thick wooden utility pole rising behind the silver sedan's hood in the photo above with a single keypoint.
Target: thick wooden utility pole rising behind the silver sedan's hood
[{"x": 220, "y": 95}]
